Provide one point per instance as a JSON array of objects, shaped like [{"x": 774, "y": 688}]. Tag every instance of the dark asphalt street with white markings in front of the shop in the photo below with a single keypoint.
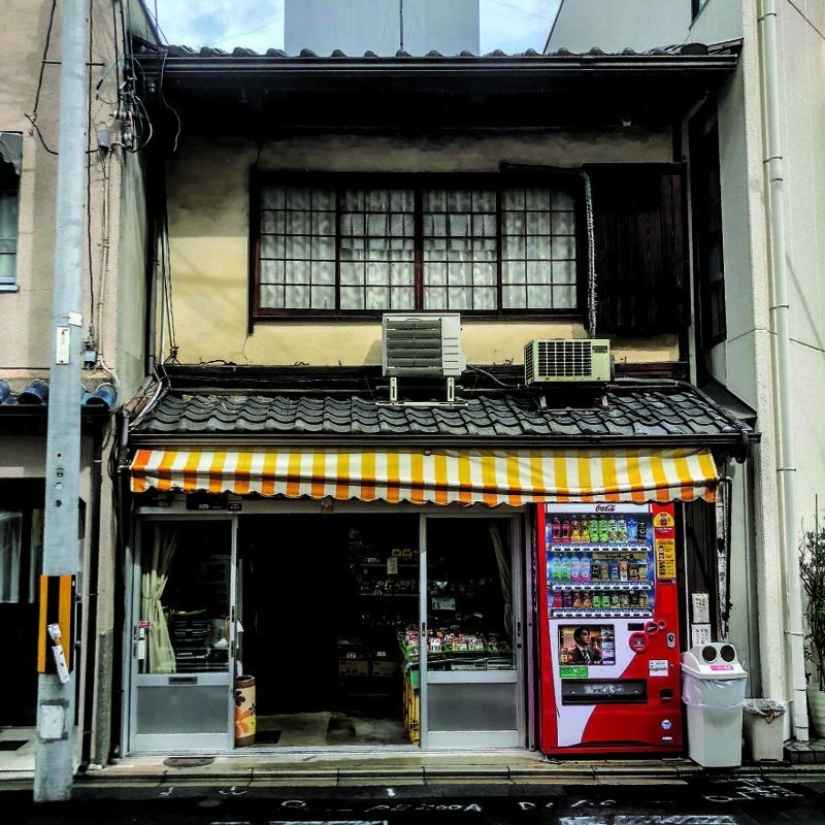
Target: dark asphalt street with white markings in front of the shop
[{"x": 720, "y": 800}]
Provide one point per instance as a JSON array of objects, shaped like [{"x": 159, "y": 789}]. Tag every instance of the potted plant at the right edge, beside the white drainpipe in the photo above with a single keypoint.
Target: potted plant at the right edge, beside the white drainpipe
[{"x": 812, "y": 571}]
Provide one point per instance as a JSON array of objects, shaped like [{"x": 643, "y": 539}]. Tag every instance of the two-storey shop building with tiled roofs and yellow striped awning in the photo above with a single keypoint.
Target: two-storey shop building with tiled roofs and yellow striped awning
[{"x": 352, "y": 430}]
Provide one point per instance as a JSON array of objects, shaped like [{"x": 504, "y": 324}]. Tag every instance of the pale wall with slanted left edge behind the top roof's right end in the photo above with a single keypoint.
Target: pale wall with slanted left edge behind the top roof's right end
[{"x": 614, "y": 25}]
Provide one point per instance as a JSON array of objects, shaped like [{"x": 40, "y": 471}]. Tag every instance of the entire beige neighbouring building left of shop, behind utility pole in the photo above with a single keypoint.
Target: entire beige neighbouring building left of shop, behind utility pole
[{"x": 113, "y": 324}]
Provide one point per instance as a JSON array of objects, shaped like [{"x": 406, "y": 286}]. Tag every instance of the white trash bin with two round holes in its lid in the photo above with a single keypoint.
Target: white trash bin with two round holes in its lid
[{"x": 713, "y": 689}]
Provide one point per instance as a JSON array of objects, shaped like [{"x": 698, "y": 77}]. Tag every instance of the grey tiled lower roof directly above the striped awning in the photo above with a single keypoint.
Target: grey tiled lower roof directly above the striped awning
[{"x": 672, "y": 412}]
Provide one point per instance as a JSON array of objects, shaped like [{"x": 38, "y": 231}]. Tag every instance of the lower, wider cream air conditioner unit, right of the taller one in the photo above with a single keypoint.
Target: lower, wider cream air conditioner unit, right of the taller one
[{"x": 567, "y": 360}]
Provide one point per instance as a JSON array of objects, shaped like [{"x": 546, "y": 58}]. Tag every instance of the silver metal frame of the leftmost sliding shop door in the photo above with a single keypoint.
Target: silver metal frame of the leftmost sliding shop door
[{"x": 174, "y": 741}]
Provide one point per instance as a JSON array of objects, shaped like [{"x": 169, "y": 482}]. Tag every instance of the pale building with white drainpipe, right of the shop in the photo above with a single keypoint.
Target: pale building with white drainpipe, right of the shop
[{"x": 754, "y": 153}]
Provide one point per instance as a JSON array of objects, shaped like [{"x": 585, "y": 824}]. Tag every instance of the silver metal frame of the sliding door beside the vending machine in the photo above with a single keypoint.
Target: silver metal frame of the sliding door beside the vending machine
[{"x": 474, "y": 740}]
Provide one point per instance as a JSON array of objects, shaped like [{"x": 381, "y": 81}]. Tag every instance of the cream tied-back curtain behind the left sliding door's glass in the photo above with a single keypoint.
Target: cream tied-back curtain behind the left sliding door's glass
[{"x": 160, "y": 655}]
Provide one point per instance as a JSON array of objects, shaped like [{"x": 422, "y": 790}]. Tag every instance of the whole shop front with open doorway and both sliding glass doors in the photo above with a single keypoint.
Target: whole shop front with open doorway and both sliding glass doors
[{"x": 360, "y": 630}]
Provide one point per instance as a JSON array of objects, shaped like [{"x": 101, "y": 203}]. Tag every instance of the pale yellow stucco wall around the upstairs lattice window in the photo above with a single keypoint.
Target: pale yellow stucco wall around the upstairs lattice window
[{"x": 208, "y": 196}]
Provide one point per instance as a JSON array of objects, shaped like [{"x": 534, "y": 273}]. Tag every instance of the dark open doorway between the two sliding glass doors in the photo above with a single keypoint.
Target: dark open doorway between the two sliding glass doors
[{"x": 323, "y": 602}]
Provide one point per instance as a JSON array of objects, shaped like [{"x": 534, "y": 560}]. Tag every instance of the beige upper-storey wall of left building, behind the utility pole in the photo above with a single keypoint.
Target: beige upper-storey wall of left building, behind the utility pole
[{"x": 25, "y": 314}]
